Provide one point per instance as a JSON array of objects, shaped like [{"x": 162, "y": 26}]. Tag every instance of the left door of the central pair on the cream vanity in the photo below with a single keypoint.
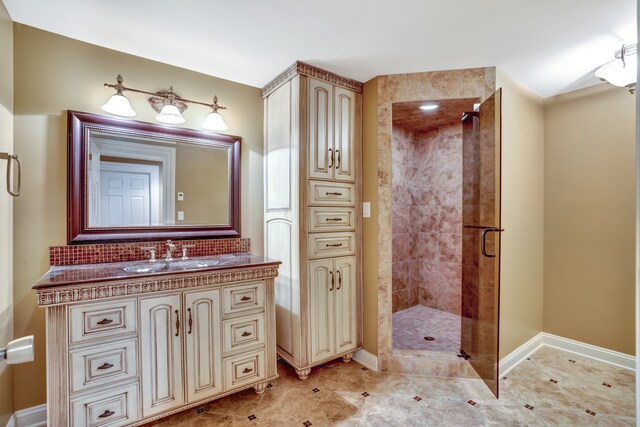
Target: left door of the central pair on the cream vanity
[{"x": 161, "y": 332}]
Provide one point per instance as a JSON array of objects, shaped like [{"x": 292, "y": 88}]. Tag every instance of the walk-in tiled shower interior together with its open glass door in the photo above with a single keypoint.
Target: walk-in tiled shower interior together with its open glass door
[{"x": 446, "y": 224}]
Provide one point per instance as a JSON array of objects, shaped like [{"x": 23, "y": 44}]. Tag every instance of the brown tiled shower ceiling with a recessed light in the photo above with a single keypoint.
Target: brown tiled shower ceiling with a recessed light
[{"x": 408, "y": 115}]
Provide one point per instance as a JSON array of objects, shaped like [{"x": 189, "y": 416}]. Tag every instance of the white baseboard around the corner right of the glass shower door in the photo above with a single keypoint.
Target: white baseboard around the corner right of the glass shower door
[{"x": 583, "y": 349}]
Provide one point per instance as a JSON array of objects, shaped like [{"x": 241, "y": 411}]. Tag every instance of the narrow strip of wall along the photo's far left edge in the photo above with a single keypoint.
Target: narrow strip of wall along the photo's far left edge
[{"x": 6, "y": 209}]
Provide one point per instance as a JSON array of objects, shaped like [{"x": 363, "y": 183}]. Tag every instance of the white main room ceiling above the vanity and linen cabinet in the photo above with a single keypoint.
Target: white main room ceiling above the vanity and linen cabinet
[{"x": 549, "y": 46}]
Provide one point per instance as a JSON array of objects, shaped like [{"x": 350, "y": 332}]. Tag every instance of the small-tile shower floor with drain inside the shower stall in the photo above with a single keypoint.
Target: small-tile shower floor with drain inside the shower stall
[{"x": 411, "y": 325}]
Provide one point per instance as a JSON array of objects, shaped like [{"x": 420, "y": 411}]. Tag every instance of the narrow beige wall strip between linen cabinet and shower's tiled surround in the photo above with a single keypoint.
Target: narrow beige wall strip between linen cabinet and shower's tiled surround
[{"x": 370, "y": 225}]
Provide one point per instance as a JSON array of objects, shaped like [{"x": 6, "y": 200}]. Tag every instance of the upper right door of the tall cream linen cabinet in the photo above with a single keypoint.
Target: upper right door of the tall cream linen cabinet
[{"x": 344, "y": 123}]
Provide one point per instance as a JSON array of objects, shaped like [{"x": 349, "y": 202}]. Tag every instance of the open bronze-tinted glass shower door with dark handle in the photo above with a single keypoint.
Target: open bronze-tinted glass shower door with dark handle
[{"x": 481, "y": 165}]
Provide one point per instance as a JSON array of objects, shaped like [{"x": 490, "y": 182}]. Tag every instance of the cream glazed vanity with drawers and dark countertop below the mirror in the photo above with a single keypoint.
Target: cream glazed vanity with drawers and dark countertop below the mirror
[{"x": 126, "y": 349}]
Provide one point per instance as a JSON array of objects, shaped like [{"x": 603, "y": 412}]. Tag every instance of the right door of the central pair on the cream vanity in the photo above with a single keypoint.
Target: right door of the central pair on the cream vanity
[{"x": 204, "y": 356}]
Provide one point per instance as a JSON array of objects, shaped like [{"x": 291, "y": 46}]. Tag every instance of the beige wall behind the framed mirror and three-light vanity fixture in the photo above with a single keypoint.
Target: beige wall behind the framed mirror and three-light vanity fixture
[{"x": 53, "y": 74}]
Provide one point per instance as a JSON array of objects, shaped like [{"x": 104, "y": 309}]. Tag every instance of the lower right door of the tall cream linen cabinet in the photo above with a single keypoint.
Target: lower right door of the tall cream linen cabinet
[{"x": 346, "y": 304}]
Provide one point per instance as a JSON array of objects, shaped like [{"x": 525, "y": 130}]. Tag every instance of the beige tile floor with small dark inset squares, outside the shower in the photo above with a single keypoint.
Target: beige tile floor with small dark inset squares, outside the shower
[{"x": 553, "y": 387}]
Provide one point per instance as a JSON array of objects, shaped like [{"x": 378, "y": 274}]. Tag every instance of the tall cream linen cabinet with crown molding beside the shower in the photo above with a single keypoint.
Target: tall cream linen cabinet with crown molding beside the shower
[{"x": 312, "y": 163}]
